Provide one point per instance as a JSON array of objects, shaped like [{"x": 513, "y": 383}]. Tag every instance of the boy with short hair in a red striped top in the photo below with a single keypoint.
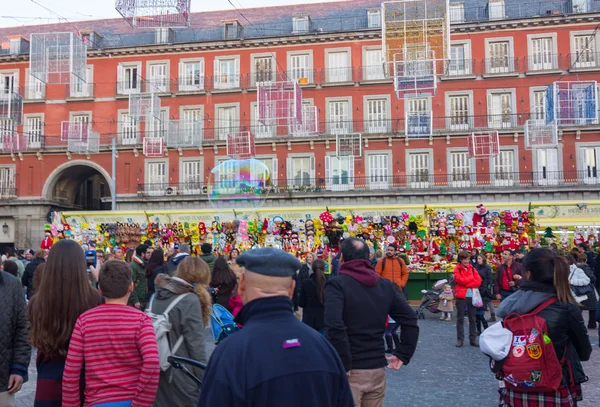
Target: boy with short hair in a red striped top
[{"x": 115, "y": 347}]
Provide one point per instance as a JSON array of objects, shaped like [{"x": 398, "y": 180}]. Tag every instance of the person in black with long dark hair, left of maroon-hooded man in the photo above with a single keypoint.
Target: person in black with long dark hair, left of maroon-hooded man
[{"x": 311, "y": 298}]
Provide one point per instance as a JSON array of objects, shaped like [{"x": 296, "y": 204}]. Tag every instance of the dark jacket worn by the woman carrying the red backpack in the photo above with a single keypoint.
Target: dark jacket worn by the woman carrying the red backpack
[{"x": 565, "y": 324}]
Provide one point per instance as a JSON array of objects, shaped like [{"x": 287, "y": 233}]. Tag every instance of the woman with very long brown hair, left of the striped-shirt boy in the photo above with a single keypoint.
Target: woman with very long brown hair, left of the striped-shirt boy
[{"x": 63, "y": 295}]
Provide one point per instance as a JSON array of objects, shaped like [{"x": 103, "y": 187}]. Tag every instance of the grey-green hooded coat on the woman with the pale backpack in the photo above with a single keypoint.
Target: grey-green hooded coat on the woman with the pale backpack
[{"x": 174, "y": 387}]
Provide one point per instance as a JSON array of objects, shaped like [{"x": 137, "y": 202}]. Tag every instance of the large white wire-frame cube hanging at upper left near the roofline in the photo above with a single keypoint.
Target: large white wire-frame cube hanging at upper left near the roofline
[{"x": 57, "y": 58}]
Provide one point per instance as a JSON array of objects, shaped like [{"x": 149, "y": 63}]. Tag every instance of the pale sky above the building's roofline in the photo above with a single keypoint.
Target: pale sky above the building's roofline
[{"x": 32, "y": 12}]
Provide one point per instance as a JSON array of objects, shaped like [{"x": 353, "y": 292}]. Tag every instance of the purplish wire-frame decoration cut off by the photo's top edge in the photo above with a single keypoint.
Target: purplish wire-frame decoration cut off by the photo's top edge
[{"x": 155, "y": 13}]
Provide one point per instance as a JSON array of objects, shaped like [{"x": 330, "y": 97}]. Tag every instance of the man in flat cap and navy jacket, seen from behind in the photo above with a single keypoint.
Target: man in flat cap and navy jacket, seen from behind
[{"x": 274, "y": 360}]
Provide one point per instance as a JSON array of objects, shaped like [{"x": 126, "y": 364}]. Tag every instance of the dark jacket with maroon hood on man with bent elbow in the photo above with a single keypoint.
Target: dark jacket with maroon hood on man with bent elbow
[{"x": 357, "y": 304}]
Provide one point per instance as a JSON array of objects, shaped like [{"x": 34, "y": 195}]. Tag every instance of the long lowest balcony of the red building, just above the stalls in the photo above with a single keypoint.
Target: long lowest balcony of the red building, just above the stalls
[{"x": 421, "y": 180}]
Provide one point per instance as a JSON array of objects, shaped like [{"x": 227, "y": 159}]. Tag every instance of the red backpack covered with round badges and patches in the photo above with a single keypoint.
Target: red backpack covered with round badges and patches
[{"x": 531, "y": 364}]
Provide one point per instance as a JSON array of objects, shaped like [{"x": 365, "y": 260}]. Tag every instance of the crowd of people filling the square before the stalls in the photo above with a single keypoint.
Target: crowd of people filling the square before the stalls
[{"x": 98, "y": 342}]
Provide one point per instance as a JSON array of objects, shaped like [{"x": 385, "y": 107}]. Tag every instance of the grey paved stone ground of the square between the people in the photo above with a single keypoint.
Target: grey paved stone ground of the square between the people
[{"x": 439, "y": 374}]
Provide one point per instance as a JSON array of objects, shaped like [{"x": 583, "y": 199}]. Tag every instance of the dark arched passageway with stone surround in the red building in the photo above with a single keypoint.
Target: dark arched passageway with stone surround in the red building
[{"x": 79, "y": 185}]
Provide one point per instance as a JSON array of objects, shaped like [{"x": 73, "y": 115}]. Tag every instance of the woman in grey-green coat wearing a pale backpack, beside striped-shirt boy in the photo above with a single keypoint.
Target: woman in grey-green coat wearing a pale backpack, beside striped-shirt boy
[{"x": 186, "y": 297}]
